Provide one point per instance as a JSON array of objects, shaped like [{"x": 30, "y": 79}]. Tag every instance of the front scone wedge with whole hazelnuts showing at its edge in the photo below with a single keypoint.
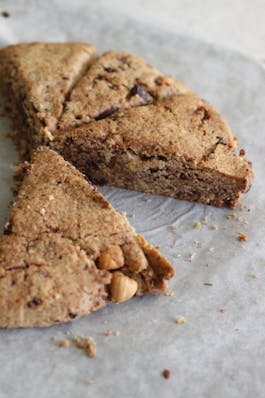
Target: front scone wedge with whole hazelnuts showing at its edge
[{"x": 67, "y": 252}]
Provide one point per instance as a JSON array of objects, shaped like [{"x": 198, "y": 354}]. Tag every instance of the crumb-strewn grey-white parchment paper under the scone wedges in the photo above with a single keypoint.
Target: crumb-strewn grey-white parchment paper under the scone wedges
[{"x": 220, "y": 350}]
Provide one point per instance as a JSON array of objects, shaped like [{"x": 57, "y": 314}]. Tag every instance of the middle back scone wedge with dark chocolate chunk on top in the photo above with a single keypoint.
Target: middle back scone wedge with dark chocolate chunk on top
[{"x": 116, "y": 80}]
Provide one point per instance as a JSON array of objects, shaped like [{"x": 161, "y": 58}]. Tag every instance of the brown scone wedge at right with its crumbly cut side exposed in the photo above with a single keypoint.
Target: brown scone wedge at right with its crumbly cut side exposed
[{"x": 179, "y": 147}]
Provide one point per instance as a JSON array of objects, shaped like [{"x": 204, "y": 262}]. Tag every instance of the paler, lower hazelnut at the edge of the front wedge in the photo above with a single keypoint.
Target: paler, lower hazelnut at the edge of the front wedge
[{"x": 122, "y": 287}]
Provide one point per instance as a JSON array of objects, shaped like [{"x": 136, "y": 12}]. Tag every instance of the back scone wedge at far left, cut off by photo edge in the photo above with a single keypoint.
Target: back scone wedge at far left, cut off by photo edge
[{"x": 36, "y": 79}]
